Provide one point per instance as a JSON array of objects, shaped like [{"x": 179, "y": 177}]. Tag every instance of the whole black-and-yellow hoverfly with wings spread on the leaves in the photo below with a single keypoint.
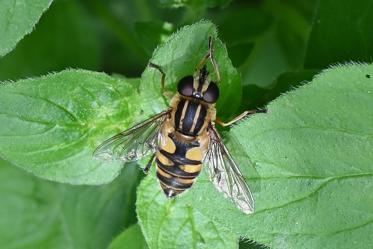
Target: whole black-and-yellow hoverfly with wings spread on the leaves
[{"x": 183, "y": 138}]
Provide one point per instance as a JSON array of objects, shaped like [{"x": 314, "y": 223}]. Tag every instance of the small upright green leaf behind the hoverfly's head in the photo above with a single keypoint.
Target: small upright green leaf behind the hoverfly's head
[{"x": 179, "y": 56}]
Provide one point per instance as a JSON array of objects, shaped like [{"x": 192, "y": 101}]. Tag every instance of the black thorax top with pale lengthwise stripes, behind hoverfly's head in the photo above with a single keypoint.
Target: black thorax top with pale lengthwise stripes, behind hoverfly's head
[{"x": 190, "y": 116}]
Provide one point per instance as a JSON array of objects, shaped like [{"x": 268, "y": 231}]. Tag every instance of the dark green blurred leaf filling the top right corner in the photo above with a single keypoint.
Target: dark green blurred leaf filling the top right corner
[{"x": 341, "y": 32}]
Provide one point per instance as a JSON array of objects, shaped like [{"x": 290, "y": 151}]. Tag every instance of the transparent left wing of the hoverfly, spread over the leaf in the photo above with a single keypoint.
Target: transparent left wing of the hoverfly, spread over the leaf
[{"x": 134, "y": 143}]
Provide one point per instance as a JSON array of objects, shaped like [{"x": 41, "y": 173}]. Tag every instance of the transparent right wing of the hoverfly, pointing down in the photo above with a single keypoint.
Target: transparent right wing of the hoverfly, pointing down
[{"x": 225, "y": 174}]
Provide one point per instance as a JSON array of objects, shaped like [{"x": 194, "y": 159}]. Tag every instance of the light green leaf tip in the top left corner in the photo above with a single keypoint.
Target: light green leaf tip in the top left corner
[{"x": 17, "y": 19}]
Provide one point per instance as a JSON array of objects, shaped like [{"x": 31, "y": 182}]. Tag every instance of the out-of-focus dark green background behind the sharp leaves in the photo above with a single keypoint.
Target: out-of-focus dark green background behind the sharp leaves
[{"x": 275, "y": 44}]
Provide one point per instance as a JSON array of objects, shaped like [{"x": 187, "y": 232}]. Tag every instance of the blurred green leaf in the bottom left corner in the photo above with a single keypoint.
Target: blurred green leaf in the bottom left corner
[{"x": 39, "y": 214}]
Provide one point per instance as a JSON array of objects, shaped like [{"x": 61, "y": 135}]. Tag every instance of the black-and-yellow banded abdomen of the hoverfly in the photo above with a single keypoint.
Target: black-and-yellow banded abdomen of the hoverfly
[{"x": 178, "y": 164}]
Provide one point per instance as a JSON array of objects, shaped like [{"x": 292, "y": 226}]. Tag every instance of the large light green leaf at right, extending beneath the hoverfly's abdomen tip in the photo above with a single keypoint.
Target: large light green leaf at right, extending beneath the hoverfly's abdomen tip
[{"x": 313, "y": 154}]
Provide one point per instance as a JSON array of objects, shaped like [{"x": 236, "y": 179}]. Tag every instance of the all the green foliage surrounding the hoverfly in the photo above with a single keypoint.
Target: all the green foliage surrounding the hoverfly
[{"x": 307, "y": 161}]
